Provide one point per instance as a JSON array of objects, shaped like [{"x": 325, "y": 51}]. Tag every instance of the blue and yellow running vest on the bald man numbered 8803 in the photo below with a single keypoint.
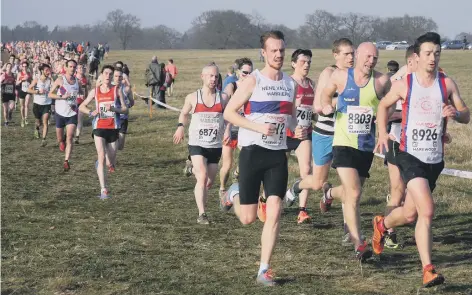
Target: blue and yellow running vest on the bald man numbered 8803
[{"x": 355, "y": 115}]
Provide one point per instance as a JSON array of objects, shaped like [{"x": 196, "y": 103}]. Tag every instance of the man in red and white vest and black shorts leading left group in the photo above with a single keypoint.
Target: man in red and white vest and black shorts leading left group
[{"x": 106, "y": 122}]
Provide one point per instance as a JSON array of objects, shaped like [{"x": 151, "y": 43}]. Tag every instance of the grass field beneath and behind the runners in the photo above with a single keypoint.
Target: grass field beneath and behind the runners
[{"x": 59, "y": 238}]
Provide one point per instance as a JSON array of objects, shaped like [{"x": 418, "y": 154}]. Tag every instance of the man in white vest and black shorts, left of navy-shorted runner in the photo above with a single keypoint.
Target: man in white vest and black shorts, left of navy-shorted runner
[{"x": 41, "y": 102}]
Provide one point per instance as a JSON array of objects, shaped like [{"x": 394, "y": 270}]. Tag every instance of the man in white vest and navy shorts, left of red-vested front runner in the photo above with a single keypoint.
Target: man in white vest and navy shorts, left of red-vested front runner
[{"x": 65, "y": 90}]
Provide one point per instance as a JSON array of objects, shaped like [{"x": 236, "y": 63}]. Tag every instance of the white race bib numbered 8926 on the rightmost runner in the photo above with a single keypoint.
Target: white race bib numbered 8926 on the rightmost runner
[{"x": 424, "y": 137}]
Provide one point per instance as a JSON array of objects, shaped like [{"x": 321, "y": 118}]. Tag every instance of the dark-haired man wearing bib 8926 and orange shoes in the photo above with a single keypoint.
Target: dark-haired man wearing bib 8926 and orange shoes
[{"x": 425, "y": 97}]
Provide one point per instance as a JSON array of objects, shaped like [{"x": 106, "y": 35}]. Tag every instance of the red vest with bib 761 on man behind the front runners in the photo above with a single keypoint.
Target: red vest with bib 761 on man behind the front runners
[{"x": 304, "y": 101}]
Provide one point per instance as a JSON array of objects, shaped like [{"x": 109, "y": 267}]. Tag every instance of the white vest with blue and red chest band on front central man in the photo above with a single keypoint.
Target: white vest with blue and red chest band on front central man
[{"x": 270, "y": 102}]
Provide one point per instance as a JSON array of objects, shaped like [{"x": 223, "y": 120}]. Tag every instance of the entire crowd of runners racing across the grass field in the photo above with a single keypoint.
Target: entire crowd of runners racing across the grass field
[{"x": 265, "y": 115}]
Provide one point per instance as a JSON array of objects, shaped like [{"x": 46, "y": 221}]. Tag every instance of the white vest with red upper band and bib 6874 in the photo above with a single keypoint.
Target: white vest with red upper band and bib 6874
[{"x": 207, "y": 124}]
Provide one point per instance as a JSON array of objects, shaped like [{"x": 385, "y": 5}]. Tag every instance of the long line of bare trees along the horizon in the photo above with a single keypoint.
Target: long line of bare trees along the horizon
[{"x": 230, "y": 29}]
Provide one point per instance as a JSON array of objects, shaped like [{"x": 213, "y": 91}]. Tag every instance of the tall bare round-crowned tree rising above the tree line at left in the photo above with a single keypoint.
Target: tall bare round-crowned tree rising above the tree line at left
[{"x": 124, "y": 25}]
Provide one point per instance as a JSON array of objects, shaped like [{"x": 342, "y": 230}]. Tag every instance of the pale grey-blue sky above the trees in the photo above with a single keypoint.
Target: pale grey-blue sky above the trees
[{"x": 452, "y": 17}]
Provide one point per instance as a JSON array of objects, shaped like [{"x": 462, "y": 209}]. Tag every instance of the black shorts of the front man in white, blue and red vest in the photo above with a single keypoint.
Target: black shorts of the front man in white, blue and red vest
[{"x": 260, "y": 165}]
